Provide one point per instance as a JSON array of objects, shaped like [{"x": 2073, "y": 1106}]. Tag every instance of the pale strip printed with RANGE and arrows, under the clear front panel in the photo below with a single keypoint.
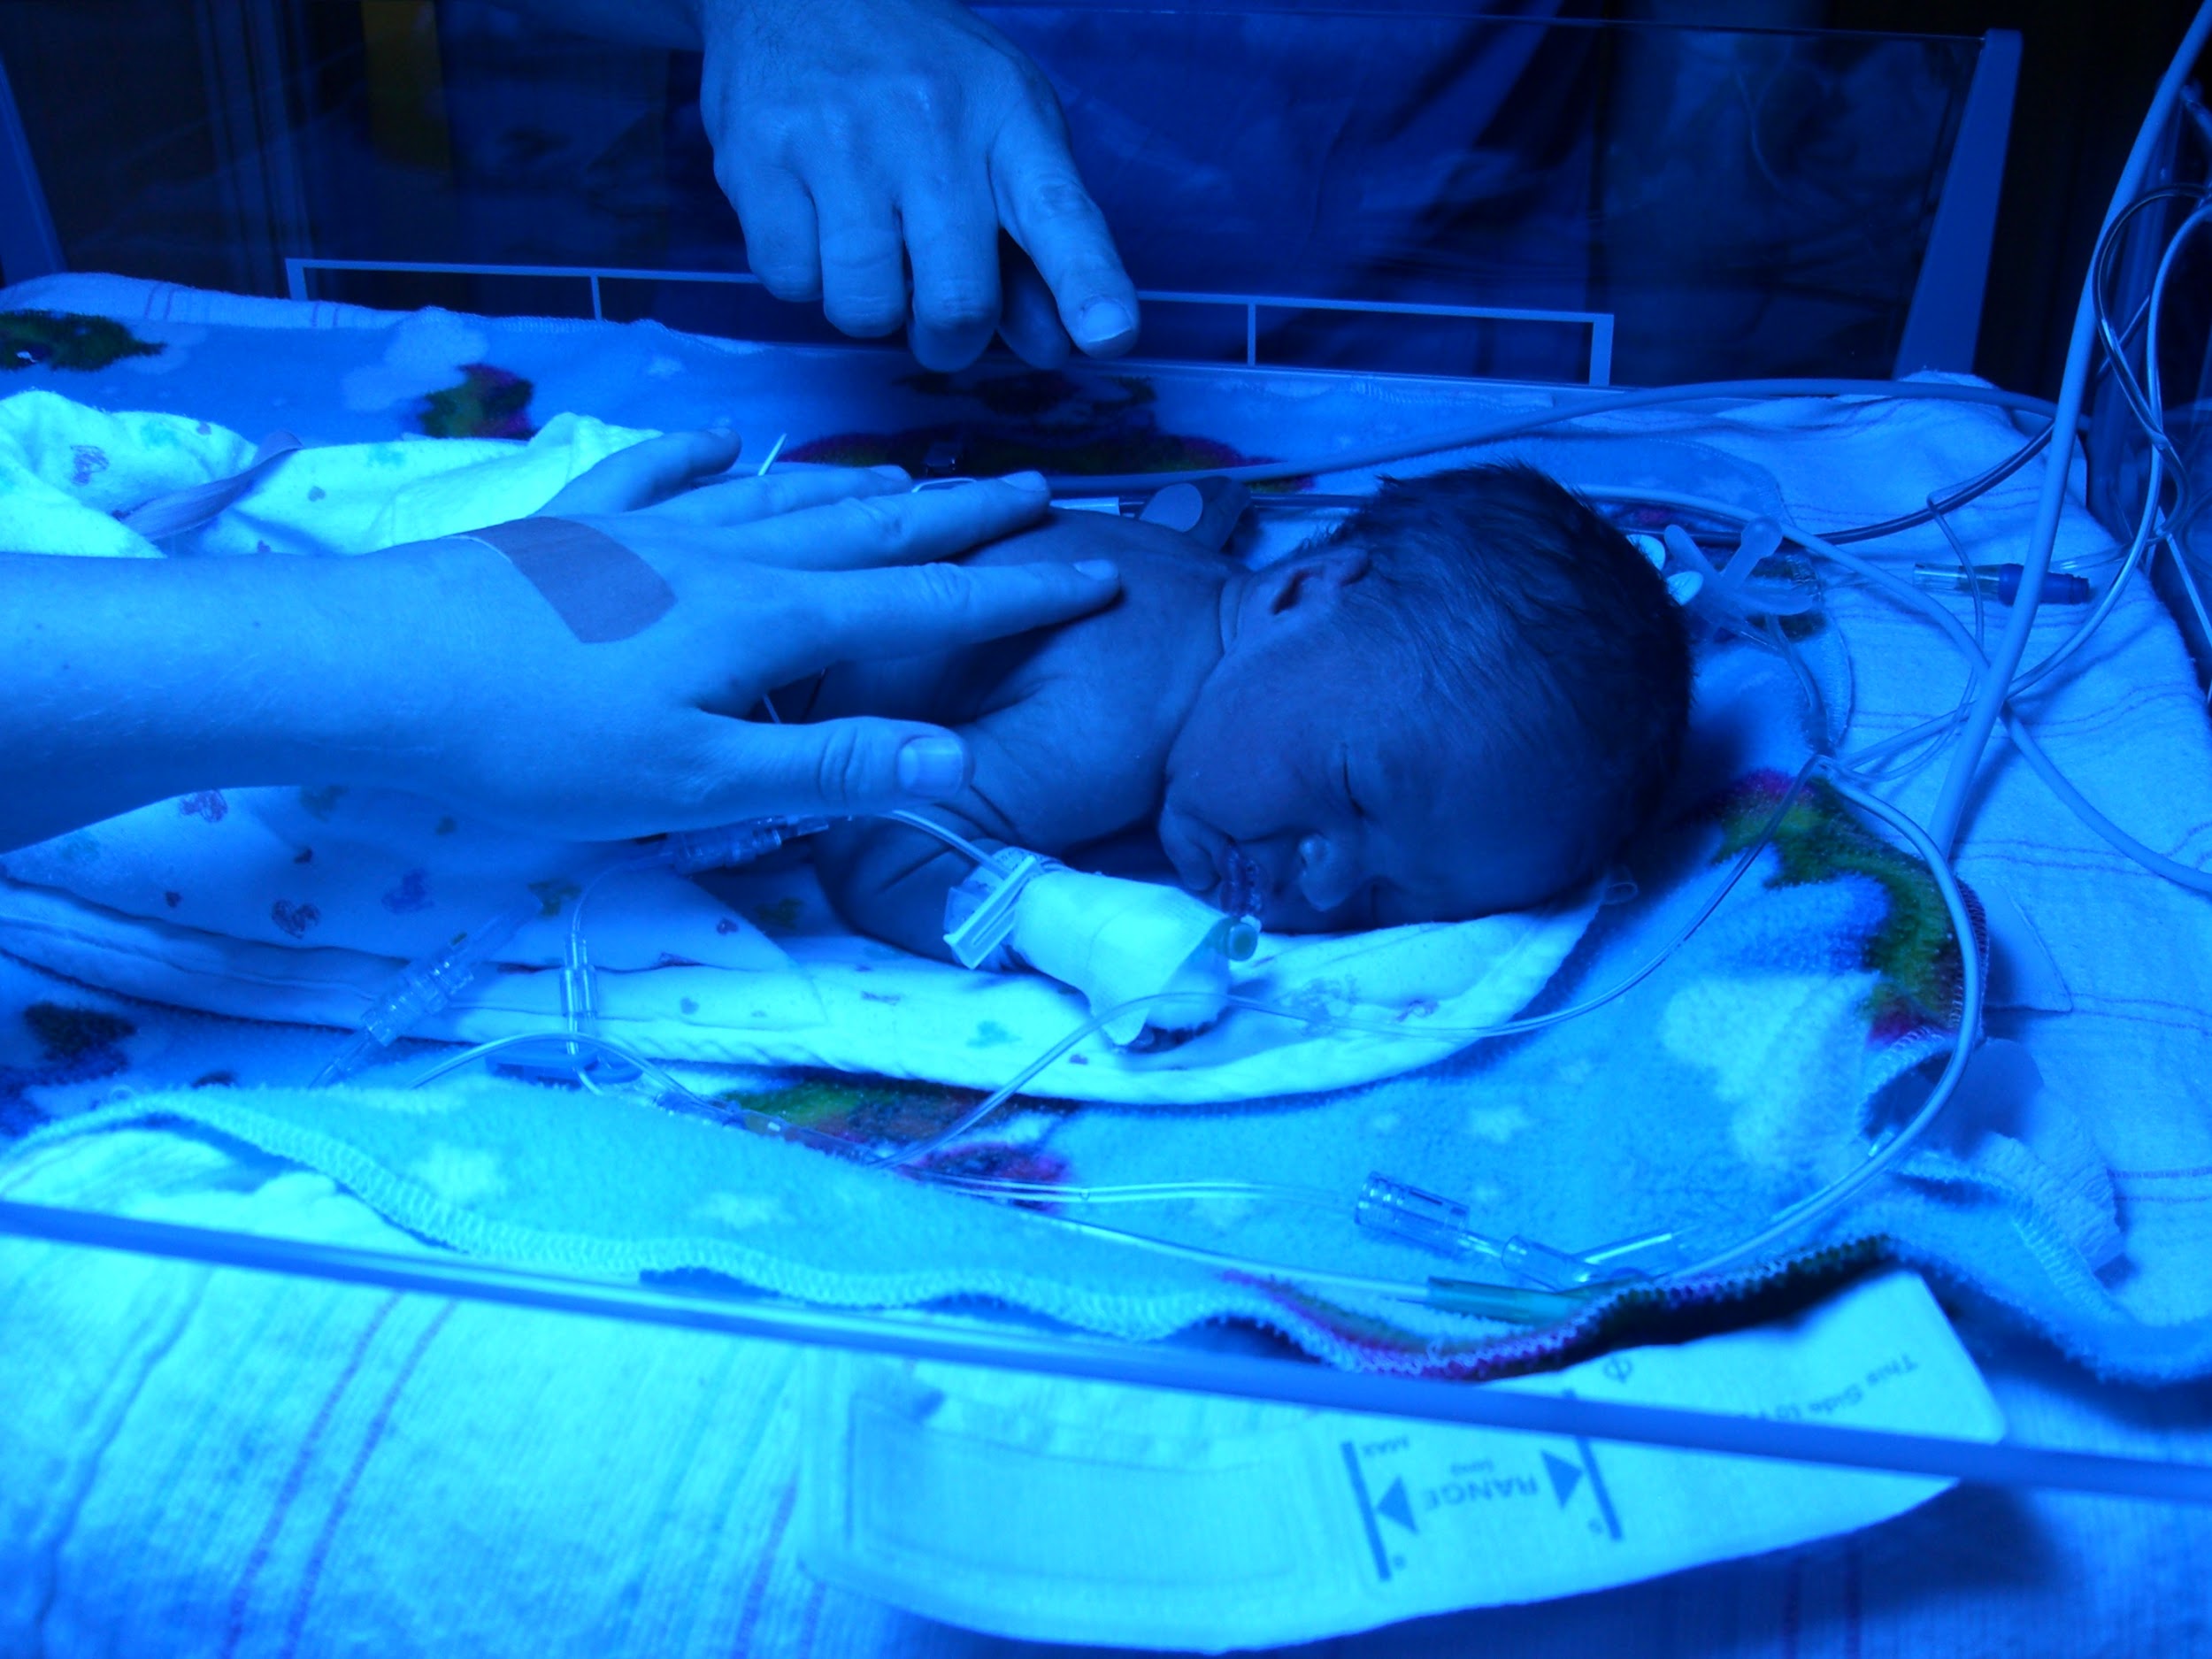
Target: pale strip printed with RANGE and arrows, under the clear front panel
[{"x": 1085, "y": 1512}]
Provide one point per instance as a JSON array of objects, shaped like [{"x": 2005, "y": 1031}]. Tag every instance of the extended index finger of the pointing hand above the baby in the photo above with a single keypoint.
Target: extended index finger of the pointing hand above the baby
[{"x": 1043, "y": 202}]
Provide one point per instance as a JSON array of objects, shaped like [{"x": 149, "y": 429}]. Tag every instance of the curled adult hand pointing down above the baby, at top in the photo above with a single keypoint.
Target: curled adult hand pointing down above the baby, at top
[{"x": 864, "y": 138}]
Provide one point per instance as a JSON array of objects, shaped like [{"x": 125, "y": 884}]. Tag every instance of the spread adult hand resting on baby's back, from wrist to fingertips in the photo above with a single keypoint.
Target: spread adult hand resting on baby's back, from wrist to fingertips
[{"x": 771, "y": 578}]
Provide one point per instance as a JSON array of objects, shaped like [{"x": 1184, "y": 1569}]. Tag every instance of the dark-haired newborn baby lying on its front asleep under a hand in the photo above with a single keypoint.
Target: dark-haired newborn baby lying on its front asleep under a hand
[{"x": 1459, "y": 702}]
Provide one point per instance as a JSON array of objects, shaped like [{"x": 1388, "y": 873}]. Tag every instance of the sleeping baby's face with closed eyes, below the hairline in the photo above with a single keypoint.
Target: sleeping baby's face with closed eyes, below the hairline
[{"x": 1322, "y": 786}]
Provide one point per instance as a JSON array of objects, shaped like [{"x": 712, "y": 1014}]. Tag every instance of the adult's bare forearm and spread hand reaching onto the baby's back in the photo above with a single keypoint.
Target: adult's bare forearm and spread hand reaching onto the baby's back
[{"x": 441, "y": 669}]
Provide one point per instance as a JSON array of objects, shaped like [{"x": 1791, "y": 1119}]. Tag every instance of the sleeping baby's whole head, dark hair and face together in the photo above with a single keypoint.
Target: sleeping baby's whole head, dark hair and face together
[{"x": 1461, "y": 700}]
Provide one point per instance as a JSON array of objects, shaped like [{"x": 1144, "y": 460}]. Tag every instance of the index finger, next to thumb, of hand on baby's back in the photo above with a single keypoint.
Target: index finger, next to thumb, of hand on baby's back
[{"x": 932, "y": 607}]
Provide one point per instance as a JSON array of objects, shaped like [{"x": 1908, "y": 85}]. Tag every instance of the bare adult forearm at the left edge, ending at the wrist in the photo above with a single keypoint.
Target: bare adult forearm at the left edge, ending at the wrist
[{"x": 129, "y": 680}]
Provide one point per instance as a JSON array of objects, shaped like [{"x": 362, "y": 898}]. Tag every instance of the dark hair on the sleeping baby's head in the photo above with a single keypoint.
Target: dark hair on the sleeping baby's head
[{"x": 1541, "y": 620}]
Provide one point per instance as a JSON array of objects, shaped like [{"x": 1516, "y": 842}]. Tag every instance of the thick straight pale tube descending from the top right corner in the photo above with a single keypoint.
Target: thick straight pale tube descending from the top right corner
[{"x": 2074, "y": 388}]
